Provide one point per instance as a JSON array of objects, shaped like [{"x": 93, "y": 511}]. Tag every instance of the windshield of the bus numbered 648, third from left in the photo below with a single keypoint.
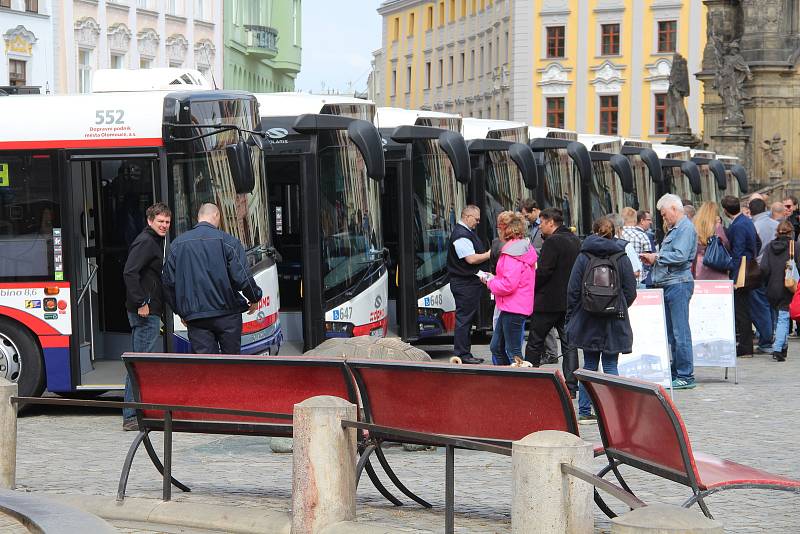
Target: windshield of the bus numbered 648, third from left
[{"x": 438, "y": 200}]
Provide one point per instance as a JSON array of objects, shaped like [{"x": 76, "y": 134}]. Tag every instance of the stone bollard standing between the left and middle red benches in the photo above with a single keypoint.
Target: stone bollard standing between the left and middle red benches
[{"x": 324, "y": 464}]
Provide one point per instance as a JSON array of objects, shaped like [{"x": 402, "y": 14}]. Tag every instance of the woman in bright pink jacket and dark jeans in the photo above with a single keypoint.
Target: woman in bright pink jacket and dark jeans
[{"x": 512, "y": 288}]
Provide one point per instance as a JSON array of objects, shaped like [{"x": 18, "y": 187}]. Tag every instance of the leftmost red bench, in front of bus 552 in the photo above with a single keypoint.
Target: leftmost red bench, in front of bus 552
[{"x": 252, "y": 395}]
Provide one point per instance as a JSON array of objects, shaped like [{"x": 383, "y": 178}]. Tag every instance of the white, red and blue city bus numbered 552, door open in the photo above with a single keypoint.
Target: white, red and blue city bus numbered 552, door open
[{"x": 76, "y": 176}]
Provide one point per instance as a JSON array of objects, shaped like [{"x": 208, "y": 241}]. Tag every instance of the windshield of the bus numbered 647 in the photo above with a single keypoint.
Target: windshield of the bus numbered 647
[{"x": 352, "y": 239}]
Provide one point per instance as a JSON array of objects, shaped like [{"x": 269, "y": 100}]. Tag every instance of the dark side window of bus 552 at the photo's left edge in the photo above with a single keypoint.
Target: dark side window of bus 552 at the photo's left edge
[{"x": 29, "y": 218}]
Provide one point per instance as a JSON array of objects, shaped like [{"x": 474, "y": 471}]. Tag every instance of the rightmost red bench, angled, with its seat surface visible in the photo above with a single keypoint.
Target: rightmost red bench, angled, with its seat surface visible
[{"x": 641, "y": 427}]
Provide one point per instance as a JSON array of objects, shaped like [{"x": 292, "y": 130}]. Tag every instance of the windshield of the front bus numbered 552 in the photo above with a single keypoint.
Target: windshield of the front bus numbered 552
[{"x": 201, "y": 173}]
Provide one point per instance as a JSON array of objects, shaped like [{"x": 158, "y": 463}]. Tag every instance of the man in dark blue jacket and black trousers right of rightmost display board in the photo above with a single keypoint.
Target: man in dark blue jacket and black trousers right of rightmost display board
[{"x": 743, "y": 239}]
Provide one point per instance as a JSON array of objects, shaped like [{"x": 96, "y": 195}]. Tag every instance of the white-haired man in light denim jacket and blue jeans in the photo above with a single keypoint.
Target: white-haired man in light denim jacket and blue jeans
[{"x": 672, "y": 272}]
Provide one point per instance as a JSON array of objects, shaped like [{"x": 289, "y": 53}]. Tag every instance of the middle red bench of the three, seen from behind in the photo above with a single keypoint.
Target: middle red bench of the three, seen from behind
[{"x": 455, "y": 406}]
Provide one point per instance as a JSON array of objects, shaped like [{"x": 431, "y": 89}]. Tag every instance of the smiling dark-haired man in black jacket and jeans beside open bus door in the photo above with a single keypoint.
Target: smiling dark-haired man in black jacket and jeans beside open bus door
[{"x": 144, "y": 298}]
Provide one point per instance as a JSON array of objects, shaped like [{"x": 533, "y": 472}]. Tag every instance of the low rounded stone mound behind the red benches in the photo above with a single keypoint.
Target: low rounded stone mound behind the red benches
[{"x": 369, "y": 348}]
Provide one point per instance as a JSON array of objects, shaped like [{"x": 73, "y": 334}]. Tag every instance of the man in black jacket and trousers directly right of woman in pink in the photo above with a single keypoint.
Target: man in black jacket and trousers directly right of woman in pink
[{"x": 560, "y": 248}]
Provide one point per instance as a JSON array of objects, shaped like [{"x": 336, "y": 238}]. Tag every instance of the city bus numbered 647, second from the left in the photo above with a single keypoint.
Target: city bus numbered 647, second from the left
[{"x": 324, "y": 166}]
